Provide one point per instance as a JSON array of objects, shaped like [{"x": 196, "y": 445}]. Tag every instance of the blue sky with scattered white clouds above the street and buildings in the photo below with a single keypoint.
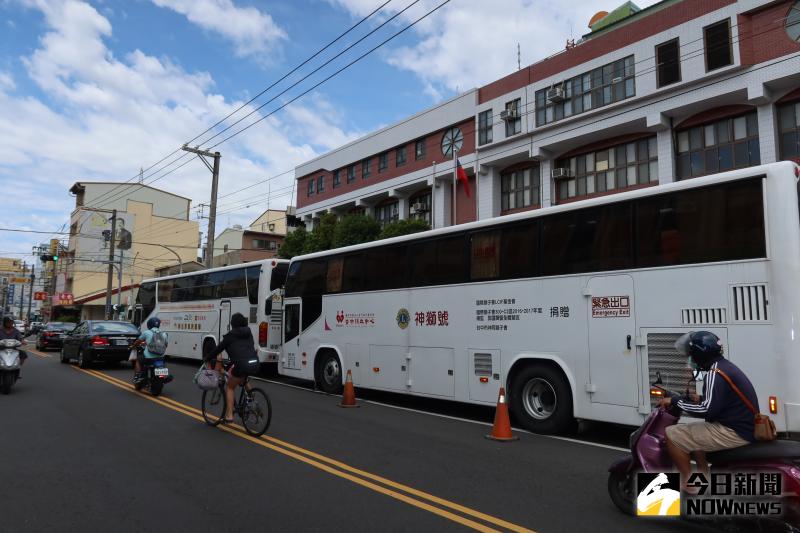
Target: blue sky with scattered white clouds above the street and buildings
[{"x": 96, "y": 89}]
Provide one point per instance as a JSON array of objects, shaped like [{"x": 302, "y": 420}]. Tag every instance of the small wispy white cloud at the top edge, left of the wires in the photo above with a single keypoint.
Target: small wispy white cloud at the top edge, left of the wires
[{"x": 252, "y": 31}]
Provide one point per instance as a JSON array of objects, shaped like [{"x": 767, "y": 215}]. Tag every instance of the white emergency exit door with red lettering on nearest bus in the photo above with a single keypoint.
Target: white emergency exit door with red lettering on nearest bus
[{"x": 613, "y": 364}]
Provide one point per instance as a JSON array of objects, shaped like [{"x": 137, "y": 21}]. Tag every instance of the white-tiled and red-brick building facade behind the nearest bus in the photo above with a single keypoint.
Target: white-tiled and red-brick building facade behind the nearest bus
[{"x": 678, "y": 90}]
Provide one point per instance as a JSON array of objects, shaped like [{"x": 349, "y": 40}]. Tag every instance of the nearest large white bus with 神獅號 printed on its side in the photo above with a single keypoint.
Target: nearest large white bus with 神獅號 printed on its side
[{"x": 572, "y": 308}]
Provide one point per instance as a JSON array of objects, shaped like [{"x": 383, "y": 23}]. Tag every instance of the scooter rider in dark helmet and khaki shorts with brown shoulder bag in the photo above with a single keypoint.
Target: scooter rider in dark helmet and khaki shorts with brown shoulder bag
[{"x": 728, "y": 421}]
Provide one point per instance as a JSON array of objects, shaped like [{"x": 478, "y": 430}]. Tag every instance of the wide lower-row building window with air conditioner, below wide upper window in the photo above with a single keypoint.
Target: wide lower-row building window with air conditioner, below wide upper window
[{"x": 617, "y": 167}]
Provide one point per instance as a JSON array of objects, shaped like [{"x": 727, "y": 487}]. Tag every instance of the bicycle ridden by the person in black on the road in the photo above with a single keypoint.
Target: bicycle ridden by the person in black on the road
[{"x": 253, "y": 406}]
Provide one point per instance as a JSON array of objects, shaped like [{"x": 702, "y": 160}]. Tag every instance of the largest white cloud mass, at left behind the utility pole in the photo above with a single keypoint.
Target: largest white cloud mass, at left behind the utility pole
[{"x": 104, "y": 117}]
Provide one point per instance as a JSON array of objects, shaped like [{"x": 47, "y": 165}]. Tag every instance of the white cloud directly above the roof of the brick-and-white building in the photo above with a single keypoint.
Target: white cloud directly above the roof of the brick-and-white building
[{"x": 472, "y": 42}]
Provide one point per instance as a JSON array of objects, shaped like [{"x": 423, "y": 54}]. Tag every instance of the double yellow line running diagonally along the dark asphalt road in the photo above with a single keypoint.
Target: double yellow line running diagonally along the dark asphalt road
[{"x": 417, "y": 498}]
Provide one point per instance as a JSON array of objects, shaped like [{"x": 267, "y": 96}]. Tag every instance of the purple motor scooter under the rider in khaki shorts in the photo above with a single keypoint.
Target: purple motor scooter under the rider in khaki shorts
[{"x": 649, "y": 454}]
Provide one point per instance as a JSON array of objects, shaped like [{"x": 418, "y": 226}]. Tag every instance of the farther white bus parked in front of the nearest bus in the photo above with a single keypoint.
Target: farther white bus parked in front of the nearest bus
[{"x": 195, "y": 308}]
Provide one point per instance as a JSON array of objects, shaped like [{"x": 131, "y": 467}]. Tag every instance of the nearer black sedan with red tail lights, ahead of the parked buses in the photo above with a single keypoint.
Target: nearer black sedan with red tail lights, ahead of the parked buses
[{"x": 99, "y": 340}]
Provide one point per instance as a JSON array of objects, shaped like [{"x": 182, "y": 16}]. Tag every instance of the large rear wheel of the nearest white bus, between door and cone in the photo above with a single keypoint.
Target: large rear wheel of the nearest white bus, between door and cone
[{"x": 541, "y": 399}]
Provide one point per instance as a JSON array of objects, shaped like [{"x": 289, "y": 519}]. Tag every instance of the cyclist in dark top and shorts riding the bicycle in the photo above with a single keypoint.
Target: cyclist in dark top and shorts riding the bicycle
[{"x": 240, "y": 346}]
